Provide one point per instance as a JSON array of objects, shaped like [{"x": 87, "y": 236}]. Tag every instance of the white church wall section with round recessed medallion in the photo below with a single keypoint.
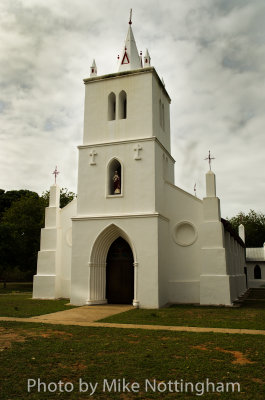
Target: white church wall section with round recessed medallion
[{"x": 184, "y": 249}]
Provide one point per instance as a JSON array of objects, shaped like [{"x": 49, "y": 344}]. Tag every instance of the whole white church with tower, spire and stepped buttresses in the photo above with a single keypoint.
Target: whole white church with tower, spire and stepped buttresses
[{"x": 131, "y": 236}]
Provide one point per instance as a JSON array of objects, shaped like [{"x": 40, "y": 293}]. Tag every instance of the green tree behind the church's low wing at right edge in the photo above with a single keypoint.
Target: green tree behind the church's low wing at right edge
[{"x": 254, "y": 223}]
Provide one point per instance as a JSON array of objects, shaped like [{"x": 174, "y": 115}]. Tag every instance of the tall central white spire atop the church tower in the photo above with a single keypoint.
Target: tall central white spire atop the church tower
[{"x": 129, "y": 58}]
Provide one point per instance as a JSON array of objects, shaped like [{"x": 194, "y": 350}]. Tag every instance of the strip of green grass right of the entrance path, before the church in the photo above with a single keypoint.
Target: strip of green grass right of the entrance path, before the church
[{"x": 250, "y": 316}]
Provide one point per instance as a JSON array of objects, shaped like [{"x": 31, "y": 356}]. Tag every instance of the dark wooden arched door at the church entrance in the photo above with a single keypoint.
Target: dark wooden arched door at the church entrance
[{"x": 120, "y": 273}]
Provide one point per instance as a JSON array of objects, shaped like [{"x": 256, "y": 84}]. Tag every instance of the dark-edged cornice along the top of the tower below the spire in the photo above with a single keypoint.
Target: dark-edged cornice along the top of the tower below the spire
[{"x": 124, "y": 74}]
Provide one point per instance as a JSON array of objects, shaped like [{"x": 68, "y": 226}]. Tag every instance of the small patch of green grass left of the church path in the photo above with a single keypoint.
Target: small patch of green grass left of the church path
[{"x": 23, "y": 306}]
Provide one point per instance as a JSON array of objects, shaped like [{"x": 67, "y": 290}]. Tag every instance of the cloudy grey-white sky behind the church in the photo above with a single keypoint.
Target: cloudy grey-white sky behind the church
[{"x": 210, "y": 53}]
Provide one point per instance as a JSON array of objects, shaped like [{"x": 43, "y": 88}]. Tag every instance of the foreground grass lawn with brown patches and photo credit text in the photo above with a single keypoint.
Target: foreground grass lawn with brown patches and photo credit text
[{"x": 67, "y": 354}]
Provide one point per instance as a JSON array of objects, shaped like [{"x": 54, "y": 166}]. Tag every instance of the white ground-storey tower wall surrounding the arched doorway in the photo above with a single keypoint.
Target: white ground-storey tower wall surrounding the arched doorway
[{"x": 142, "y": 237}]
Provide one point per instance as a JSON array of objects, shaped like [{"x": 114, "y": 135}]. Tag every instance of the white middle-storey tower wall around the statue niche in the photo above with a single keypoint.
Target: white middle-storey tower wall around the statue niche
[{"x": 138, "y": 180}]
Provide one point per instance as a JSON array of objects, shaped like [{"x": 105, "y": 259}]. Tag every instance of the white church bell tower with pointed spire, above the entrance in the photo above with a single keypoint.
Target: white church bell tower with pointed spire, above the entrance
[{"x": 124, "y": 157}]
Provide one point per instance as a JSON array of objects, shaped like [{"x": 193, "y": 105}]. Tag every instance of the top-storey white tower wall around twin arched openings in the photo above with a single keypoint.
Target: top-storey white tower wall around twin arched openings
[{"x": 141, "y": 107}]
